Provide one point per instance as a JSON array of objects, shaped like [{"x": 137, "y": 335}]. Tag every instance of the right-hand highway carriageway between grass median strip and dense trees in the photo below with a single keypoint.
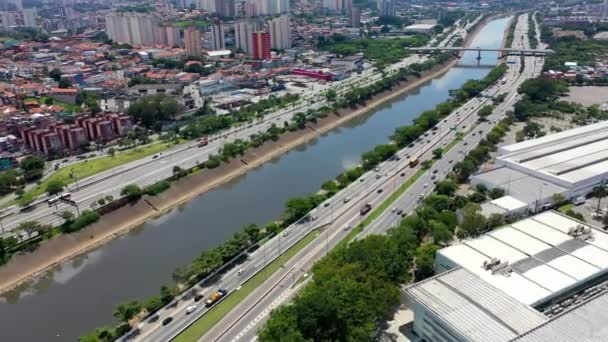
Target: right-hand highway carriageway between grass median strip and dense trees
[{"x": 243, "y": 322}]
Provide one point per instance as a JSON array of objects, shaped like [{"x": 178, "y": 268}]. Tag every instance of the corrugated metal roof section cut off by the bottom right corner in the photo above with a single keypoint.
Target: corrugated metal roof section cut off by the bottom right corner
[{"x": 584, "y": 323}]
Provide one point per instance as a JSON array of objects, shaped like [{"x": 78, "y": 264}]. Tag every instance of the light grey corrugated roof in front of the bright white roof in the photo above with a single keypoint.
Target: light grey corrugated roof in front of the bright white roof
[{"x": 475, "y": 308}]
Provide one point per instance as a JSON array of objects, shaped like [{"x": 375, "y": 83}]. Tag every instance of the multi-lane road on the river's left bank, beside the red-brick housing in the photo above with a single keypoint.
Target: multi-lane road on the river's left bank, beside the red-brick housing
[{"x": 152, "y": 169}]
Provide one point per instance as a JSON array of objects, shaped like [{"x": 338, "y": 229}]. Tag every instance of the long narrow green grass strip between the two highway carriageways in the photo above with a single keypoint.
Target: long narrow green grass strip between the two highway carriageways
[{"x": 213, "y": 316}]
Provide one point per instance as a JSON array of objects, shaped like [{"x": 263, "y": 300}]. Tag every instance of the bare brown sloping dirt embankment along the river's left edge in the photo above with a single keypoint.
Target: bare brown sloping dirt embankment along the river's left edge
[{"x": 24, "y": 267}]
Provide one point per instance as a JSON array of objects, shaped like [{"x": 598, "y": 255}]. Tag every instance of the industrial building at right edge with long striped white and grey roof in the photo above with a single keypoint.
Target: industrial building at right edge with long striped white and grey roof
[{"x": 571, "y": 163}]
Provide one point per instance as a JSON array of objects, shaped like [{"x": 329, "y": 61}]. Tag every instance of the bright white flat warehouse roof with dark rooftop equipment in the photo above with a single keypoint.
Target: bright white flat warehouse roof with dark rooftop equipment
[{"x": 543, "y": 256}]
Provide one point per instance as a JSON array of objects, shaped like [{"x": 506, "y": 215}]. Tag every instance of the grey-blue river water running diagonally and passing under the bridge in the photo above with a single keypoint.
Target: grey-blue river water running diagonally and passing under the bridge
[{"x": 81, "y": 294}]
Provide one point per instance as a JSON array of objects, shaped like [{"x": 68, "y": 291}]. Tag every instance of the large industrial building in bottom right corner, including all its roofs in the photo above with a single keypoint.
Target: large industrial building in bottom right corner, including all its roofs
[{"x": 543, "y": 278}]
